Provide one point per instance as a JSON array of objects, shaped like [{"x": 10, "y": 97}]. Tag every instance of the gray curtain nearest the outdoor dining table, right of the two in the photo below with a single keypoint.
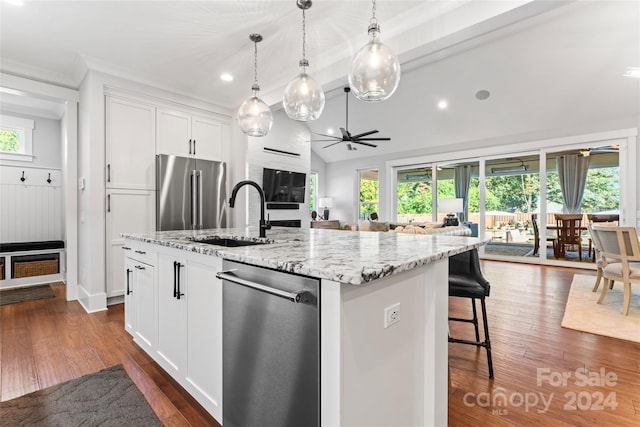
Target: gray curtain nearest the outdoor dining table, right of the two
[{"x": 572, "y": 173}]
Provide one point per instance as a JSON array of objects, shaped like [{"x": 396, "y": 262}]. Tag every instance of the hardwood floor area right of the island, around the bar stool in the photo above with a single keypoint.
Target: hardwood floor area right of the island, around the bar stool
[{"x": 531, "y": 353}]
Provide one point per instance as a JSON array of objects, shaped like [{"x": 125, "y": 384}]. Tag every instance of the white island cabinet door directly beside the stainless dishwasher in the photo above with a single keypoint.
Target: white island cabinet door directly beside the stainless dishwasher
[{"x": 204, "y": 319}]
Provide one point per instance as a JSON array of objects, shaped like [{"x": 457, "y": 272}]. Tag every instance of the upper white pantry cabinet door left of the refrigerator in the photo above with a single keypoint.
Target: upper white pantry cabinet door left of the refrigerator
[{"x": 130, "y": 144}]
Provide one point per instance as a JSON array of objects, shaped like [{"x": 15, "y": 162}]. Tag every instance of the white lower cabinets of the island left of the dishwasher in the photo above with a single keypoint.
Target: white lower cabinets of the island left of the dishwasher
[{"x": 186, "y": 302}]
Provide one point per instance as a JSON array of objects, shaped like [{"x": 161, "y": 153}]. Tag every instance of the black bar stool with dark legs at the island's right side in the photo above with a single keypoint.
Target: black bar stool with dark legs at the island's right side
[{"x": 466, "y": 281}]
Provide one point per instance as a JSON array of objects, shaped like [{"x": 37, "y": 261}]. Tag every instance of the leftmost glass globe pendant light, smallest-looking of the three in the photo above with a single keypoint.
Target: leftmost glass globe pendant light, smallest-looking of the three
[{"x": 254, "y": 116}]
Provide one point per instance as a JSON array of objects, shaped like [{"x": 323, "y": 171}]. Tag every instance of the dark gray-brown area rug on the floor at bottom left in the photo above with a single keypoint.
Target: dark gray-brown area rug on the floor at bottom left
[{"x": 104, "y": 398}]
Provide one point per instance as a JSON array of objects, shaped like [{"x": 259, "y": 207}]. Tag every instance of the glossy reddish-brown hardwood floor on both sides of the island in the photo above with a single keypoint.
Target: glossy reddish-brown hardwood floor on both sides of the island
[{"x": 47, "y": 342}]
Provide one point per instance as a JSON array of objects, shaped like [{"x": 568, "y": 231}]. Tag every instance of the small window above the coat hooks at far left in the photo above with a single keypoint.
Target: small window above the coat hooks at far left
[{"x": 16, "y": 138}]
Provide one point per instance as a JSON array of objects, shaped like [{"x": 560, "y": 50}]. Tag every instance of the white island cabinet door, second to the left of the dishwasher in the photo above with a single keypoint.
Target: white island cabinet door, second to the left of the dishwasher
[{"x": 172, "y": 308}]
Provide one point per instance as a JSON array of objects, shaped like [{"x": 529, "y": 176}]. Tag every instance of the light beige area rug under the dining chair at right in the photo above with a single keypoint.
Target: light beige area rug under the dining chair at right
[{"x": 582, "y": 312}]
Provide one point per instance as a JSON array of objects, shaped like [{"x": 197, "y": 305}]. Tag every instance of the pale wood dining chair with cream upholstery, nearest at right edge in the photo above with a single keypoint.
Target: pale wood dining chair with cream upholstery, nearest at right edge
[{"x": 619, "y": 243}]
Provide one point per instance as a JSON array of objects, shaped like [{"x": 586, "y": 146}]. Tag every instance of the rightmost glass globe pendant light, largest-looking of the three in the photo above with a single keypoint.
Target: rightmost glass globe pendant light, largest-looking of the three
[{"x": 375, "y": 70}]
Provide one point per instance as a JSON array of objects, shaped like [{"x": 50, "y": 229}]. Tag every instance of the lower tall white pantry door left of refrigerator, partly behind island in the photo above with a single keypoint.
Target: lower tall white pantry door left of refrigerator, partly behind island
[{"x": 128, "y": 211}]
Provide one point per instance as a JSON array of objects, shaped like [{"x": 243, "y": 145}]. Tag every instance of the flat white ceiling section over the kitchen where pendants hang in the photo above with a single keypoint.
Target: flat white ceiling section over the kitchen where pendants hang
[{"x": 184, "y": 46}]
